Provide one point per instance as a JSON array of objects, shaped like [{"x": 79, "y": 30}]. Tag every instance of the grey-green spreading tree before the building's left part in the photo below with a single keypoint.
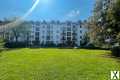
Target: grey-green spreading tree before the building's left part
[{"x": 18, "y": 35}]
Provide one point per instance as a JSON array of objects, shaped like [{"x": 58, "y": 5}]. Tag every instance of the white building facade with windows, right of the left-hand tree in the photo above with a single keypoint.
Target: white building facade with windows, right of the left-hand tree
[{"x": 57, "y": 33}]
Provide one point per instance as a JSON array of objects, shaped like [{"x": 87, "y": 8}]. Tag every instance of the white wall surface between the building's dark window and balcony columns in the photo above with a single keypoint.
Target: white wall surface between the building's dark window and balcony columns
[{"x": 56, "y": 31}]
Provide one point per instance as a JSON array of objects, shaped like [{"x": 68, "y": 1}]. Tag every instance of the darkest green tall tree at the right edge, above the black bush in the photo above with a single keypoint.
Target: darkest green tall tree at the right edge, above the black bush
[{"x": 112, "y": 25}]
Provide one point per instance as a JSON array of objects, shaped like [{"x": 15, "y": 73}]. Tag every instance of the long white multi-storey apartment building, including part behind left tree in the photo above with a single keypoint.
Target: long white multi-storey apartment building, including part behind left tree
[{"x": 48, "y": 33}]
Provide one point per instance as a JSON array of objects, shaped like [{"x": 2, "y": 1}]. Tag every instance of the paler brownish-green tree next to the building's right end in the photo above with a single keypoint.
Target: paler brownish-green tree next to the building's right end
[{"x": 96, "y": 24}]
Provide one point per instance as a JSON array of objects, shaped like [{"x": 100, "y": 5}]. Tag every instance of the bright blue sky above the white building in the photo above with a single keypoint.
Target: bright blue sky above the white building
[{"x": 47, "y": 9}]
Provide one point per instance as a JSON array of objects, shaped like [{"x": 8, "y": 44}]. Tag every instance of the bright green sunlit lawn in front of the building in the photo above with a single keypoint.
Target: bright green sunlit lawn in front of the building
[{"x": 57, "y": 64}]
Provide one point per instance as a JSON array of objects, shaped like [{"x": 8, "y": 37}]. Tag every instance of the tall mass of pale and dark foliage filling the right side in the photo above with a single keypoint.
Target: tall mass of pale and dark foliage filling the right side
[{"x": 105, "y": 23}]
